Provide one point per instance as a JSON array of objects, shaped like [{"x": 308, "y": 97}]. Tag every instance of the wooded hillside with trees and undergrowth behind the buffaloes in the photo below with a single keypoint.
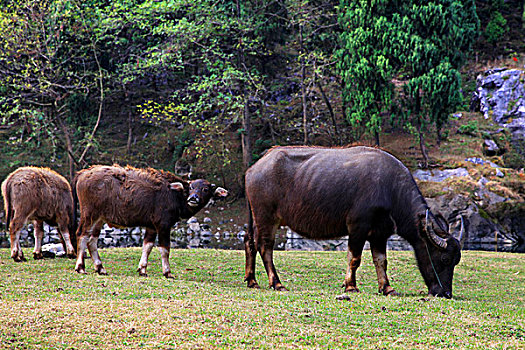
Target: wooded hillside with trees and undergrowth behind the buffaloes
[{"x": 207, "y": 87}]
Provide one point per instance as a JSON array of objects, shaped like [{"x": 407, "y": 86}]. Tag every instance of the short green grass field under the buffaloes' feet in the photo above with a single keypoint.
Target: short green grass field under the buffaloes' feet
[{"x": 46, "y": 305}]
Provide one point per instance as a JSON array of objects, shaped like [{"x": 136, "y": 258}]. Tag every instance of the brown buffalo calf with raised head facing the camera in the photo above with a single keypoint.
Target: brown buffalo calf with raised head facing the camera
[{"x": 129, "y": 197}]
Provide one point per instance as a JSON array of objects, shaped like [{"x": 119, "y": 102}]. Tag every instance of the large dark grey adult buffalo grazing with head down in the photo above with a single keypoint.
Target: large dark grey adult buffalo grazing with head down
[{"x": 362, "y": 192}]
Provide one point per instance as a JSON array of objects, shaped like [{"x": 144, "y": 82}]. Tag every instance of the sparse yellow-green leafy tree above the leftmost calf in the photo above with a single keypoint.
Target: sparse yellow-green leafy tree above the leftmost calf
[{"x": 49, "y": 69}]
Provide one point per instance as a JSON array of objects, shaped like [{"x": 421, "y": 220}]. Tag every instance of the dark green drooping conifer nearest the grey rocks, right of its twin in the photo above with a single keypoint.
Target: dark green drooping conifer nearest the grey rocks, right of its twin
[{"x": 437, "y": 36}]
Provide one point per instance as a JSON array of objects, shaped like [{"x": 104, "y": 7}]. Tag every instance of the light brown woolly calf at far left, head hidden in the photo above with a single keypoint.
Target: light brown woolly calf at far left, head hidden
[{"x": 41, "y": 195}]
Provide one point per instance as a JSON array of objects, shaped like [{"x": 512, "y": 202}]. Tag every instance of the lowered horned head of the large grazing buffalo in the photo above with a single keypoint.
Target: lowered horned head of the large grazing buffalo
[{"x": 439, "y": 254}]
